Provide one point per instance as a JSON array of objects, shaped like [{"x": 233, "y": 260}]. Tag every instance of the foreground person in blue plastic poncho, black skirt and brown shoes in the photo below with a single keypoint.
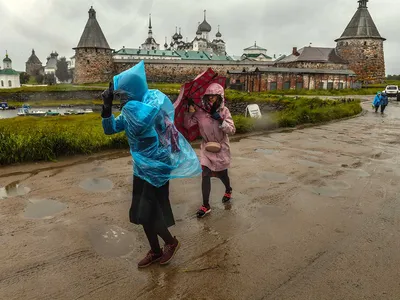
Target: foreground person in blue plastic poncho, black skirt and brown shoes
[{"x": 160, "y": 153}]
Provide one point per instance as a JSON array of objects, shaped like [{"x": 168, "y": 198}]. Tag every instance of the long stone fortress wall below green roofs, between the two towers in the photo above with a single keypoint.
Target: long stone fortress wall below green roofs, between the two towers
[{"x": 183, "y": 71}]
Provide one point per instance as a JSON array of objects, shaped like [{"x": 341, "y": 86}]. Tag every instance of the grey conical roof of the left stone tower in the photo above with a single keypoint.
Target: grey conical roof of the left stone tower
[{"x": 92, "y": 36}]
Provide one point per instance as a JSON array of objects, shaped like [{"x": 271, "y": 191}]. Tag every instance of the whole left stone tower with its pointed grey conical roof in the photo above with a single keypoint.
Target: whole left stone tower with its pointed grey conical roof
[{"x": 93, "y": 55}]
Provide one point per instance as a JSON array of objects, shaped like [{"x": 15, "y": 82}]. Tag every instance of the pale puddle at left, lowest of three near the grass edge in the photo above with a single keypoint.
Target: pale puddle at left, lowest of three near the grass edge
[{"x": 43, "y": 209}]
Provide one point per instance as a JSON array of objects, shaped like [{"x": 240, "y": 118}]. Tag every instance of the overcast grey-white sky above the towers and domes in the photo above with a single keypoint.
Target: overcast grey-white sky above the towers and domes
[{"x": 277, "y": 25}]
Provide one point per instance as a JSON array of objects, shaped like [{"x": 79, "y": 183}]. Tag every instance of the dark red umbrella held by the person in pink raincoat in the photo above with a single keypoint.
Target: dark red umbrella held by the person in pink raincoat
[{"x": 194, "y": 90}]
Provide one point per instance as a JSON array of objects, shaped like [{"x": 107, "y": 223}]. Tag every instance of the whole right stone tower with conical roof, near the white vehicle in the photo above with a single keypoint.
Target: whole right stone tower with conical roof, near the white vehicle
[{"x": 362, "y": 46}]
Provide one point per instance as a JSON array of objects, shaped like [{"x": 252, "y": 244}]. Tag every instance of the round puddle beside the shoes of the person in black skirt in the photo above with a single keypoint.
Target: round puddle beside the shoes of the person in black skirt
[{"x": 111, "y": 240}]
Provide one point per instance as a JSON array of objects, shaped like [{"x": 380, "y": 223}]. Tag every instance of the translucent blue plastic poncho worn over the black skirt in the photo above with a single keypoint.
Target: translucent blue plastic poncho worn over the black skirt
[{"x": 160, "y": 153}]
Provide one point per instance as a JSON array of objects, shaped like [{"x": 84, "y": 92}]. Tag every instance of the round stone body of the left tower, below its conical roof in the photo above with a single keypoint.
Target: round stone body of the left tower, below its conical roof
[{"x": 93, "y": 65}]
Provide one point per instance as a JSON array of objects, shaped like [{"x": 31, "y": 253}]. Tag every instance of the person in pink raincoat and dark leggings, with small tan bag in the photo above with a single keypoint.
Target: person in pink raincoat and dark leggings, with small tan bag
[{"x": 215, "y": 124}]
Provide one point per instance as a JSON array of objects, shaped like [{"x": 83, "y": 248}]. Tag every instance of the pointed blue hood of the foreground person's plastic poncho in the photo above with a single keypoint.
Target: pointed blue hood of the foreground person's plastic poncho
[{"x": 131, "y": 84}]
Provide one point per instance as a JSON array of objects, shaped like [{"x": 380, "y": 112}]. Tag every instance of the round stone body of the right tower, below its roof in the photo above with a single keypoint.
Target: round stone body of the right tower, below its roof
[{"x": 366, "y": 58}]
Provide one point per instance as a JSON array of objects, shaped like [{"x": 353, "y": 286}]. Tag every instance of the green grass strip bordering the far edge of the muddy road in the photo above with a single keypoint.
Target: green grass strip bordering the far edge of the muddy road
[{"x": 34, "y": 138}]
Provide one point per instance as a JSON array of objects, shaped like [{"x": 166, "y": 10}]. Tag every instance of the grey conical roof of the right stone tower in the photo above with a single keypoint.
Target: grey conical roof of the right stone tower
[{"x": 361, "y": 25}]
